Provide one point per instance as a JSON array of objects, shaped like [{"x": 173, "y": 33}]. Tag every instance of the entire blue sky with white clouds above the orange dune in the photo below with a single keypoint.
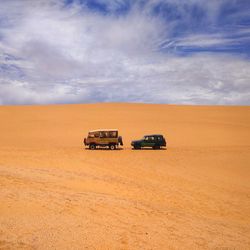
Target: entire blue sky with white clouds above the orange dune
[{"x": 151, "y": 51}]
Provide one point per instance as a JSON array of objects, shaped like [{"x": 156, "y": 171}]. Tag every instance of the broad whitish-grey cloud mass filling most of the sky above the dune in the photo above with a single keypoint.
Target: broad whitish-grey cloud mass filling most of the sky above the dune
[{"x": 64, "y": 54}]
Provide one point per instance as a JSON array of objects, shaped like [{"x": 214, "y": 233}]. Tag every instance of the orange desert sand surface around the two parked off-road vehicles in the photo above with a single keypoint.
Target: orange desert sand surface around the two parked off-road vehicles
[{"x": 54, "y": 194}]
